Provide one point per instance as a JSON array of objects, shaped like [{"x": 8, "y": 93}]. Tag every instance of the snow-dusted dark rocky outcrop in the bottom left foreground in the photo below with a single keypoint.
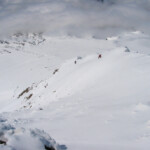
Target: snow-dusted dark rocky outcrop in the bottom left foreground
[{"x": 12, "y": 138}]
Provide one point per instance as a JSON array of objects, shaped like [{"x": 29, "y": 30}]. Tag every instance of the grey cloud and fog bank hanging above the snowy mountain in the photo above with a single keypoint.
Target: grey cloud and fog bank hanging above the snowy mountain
[{"x": 74, "y": 17}]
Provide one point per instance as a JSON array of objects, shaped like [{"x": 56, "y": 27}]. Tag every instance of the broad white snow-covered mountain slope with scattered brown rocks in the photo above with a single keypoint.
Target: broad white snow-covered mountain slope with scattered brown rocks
[{"x": 83, "y": 101}]
